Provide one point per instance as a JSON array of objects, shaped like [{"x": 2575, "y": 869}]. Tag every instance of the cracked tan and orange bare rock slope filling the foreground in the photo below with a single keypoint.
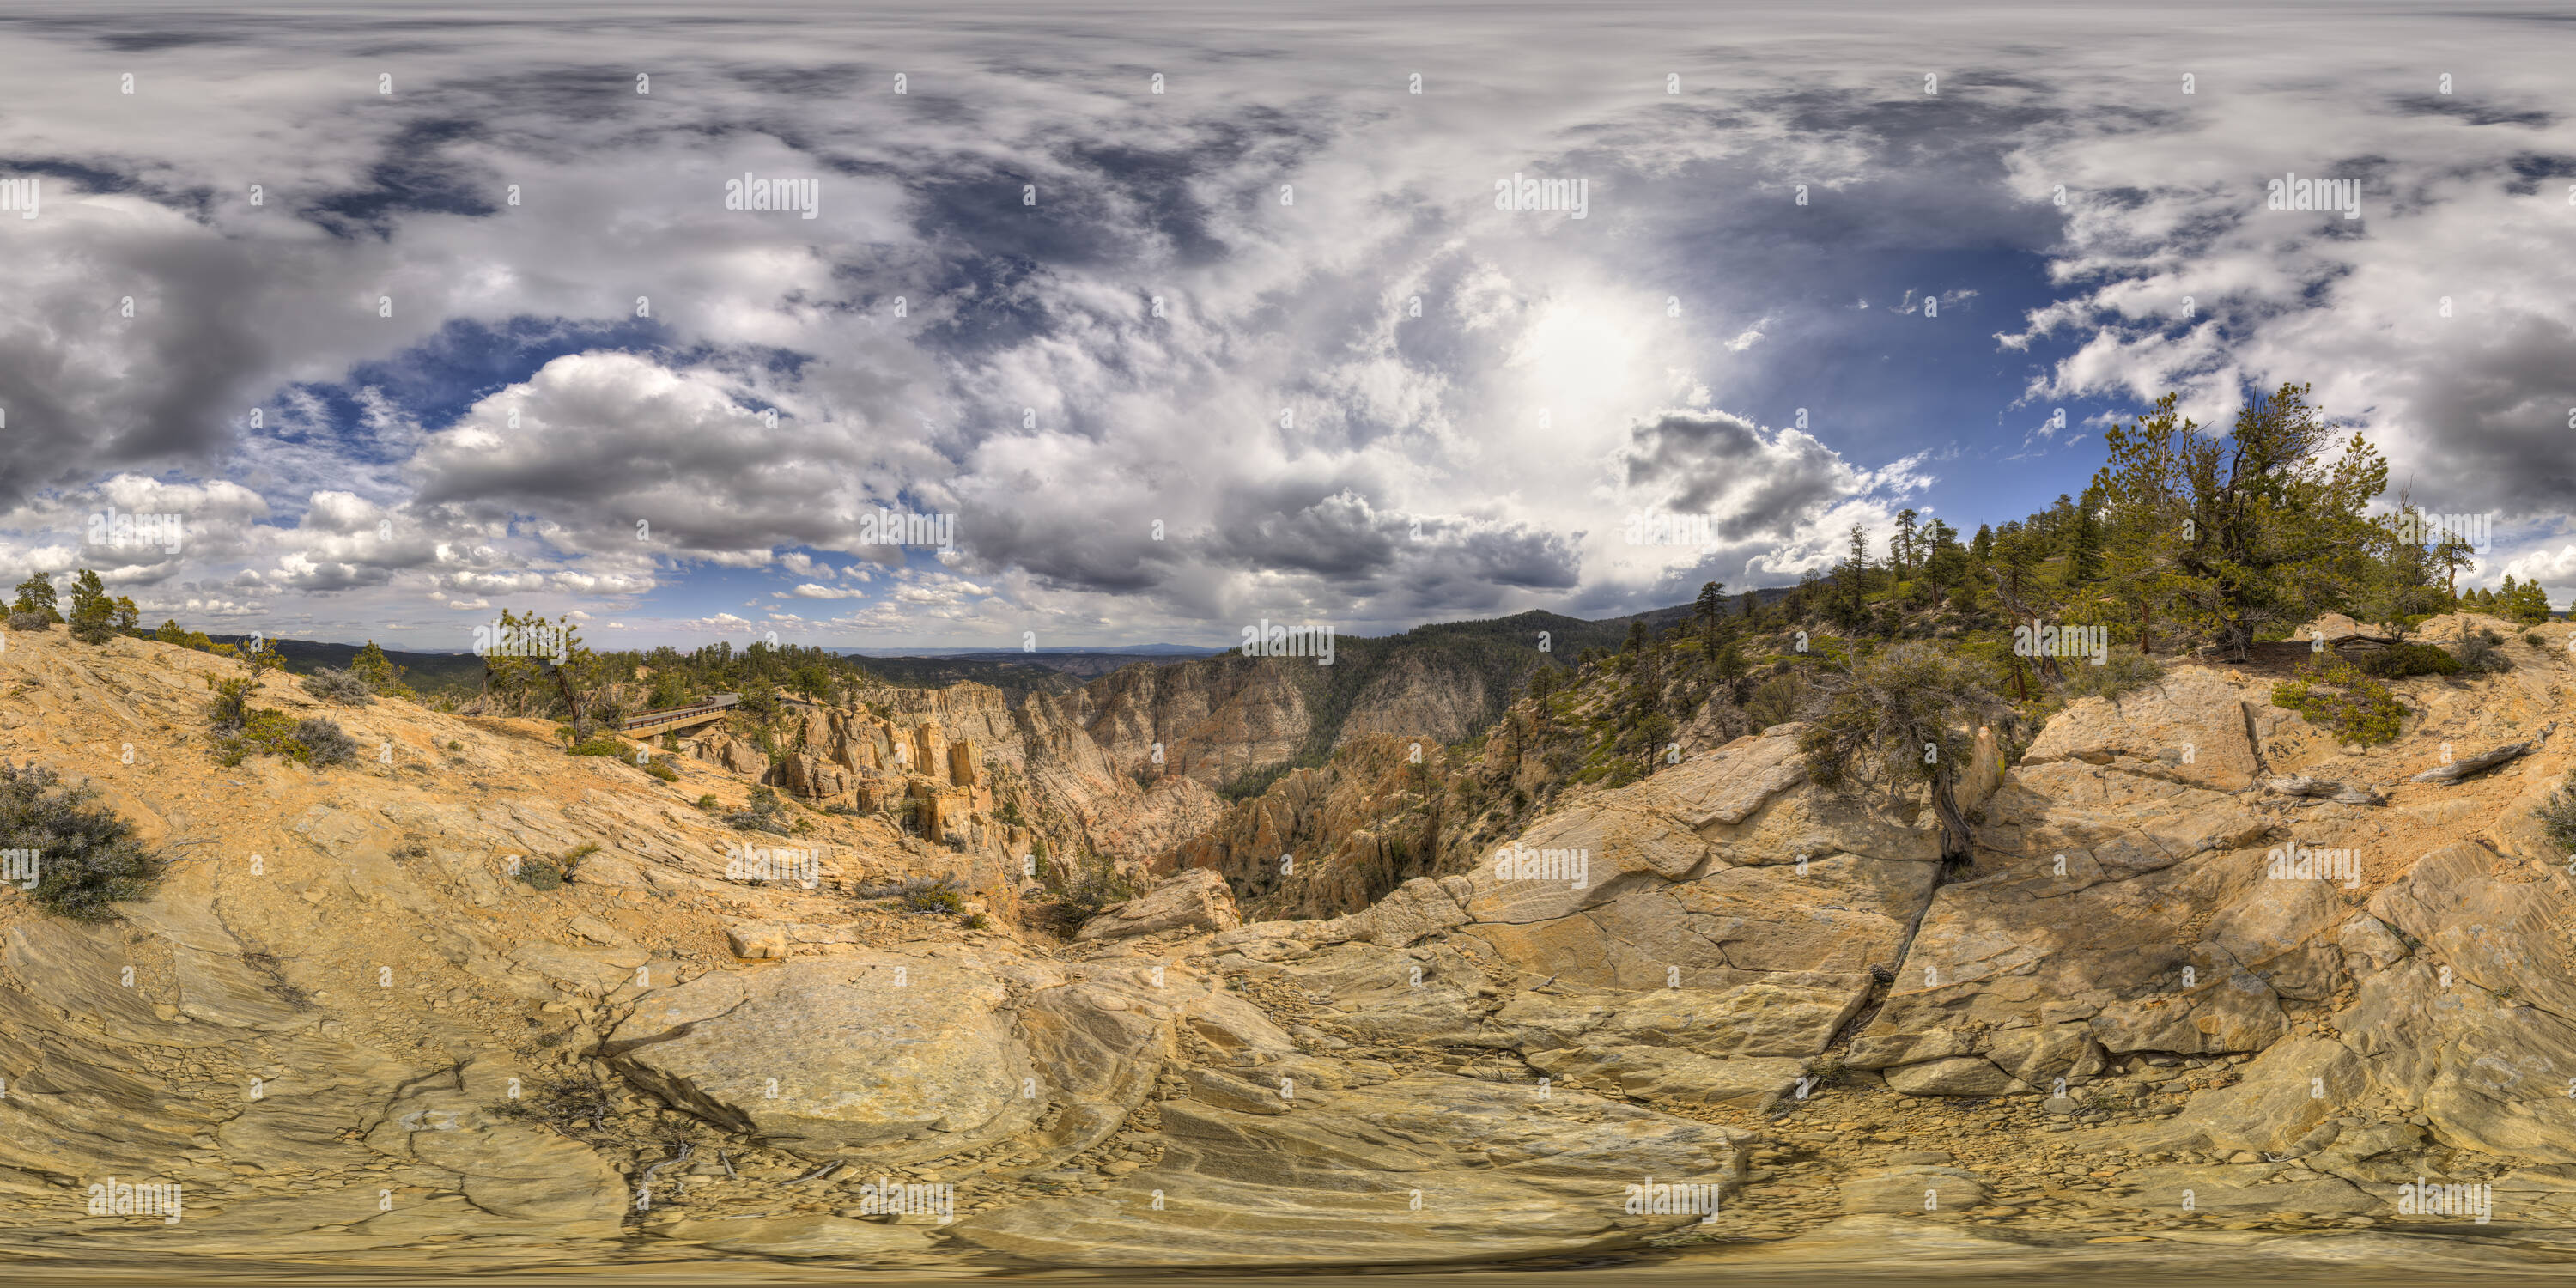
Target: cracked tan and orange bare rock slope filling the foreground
[{"x": 1717, "y": 975}]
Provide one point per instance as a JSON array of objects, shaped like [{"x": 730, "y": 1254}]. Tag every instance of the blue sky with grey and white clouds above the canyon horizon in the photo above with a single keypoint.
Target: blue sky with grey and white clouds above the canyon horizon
[{"x": 1194, "y": 316}]
